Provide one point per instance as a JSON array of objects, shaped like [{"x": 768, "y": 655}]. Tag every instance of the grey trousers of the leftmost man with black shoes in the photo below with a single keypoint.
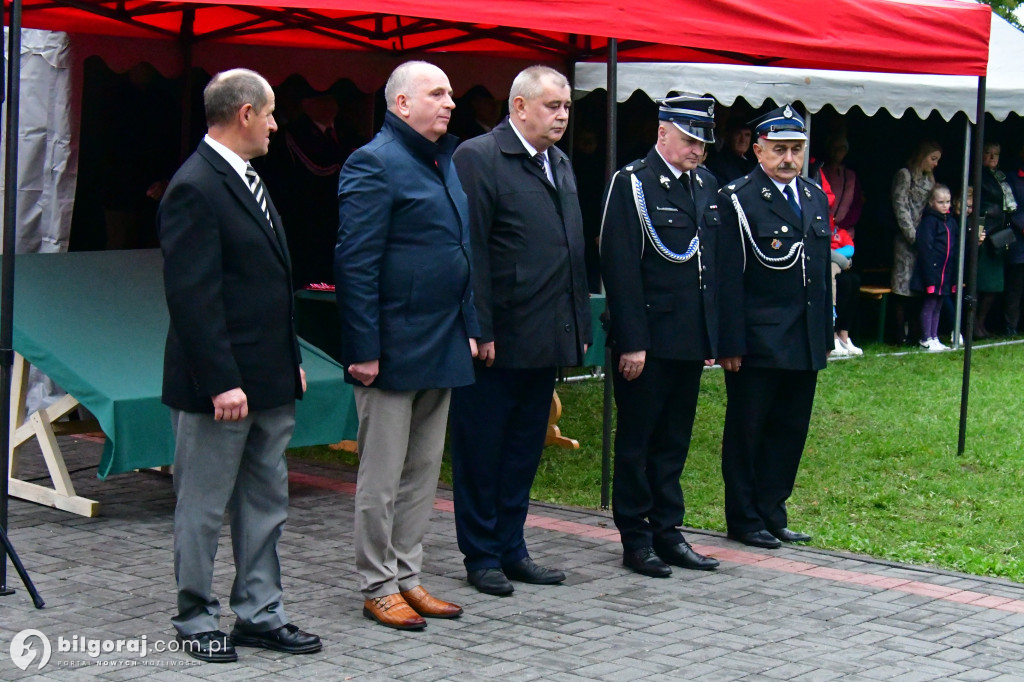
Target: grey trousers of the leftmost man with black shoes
[{"x": 238, "y": 466}]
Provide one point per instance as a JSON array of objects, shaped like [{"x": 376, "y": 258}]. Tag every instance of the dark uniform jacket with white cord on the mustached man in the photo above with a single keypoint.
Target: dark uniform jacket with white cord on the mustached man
[{"x": 780, "y": 319}]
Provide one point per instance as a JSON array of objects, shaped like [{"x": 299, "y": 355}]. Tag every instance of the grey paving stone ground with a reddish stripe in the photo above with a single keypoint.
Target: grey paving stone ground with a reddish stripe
[{"x": 794, "y": 614}]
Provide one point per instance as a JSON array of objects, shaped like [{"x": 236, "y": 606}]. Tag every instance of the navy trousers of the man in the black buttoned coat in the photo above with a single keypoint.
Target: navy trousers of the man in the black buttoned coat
[{"x": 497, "y": 431}]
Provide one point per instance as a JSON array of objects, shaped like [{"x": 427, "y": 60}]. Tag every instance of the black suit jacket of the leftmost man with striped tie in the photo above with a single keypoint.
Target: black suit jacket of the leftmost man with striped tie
[{"x": 229, "y": 289}]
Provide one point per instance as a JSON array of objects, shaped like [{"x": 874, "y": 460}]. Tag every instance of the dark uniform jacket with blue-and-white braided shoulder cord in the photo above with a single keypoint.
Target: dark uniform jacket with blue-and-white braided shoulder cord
[{"x": 668, "y": 309}]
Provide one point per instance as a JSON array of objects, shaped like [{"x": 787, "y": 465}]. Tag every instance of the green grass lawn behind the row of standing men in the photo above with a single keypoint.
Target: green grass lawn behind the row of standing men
[{"x": 880, "y": 474}]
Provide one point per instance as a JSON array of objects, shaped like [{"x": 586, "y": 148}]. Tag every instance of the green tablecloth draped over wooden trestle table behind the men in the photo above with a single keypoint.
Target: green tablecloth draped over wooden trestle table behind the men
[{"x": 97, "y": 323}]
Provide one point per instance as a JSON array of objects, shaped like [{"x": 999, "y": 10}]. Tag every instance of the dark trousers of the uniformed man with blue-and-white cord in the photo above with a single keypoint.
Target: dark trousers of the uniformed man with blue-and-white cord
[{"x": 653, "y": 438}]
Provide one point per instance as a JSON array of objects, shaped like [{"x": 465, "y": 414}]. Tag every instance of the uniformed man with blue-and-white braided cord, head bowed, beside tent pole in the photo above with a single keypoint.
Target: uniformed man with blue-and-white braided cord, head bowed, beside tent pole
[{"x": 659, "y": 264}]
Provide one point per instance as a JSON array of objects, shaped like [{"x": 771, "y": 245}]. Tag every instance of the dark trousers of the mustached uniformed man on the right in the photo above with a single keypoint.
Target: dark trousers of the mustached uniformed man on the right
[{"x": 766, "y": 424}]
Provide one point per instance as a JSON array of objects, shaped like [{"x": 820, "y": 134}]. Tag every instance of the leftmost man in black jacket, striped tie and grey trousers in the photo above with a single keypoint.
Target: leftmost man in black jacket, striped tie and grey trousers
[{"x": 232, "y": 374}]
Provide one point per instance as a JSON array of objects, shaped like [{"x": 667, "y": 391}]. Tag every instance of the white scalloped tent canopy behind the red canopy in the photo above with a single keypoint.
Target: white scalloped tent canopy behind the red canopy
[{"x": 897, "y": 94}]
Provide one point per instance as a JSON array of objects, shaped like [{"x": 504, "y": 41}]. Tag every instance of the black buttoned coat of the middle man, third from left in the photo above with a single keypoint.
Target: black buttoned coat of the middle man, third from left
[{"x": 530, "y": 271}]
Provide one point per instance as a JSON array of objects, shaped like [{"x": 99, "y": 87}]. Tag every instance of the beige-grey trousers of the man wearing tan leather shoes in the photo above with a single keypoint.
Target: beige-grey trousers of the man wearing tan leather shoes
[{"x": 402, "y": 439}]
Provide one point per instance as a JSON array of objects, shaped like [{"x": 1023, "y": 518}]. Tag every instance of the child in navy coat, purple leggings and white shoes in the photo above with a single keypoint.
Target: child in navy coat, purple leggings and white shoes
[{"x": 936, "y": 271}]
